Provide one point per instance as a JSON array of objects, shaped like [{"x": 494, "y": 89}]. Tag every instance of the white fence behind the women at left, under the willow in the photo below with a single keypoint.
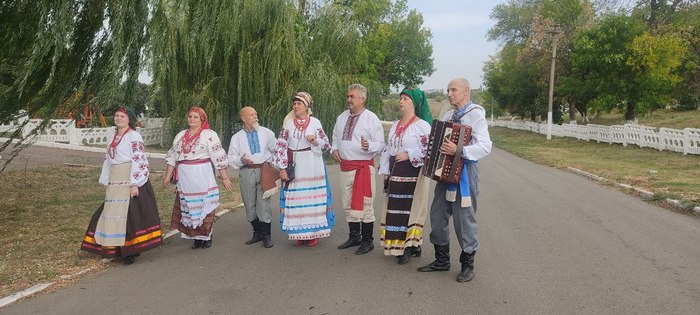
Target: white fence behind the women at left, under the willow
[{"x": 64, "y": 130}]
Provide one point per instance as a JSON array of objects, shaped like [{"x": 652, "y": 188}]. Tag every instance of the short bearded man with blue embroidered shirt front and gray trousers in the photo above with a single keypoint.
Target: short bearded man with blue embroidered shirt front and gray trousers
[{"x": 250, "y": 151}]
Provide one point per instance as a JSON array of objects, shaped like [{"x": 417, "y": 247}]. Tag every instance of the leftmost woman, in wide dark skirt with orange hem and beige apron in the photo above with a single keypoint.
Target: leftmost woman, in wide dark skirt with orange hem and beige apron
[{"x": 127, "y": 223}]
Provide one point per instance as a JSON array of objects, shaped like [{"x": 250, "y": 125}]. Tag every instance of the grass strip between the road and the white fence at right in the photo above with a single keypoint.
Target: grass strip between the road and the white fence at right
[{"x": 666, "y": 174}]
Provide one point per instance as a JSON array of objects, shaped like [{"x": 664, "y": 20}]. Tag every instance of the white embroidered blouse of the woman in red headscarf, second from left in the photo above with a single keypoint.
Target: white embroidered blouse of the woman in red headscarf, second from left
[{"x": 207, "y": 146}]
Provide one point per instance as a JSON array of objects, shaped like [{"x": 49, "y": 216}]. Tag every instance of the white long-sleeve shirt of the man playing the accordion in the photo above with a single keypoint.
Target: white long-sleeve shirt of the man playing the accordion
[{"x": 480, "y": 146}]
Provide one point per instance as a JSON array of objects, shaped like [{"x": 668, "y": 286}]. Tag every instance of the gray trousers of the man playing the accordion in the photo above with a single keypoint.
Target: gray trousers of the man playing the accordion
[{"x": 464, "y": 218}]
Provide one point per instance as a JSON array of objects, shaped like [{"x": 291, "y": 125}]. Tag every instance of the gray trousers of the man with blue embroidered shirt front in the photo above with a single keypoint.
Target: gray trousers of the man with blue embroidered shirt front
[{"x": 251, "y": 192}]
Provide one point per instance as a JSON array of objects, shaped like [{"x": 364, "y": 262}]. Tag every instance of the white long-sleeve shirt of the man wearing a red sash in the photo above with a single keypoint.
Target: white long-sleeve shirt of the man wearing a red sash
[{"x": 349, "y": 142}]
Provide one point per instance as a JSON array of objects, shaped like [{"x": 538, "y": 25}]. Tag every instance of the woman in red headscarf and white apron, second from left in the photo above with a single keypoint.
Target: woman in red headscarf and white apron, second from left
[{"x": 190, "y": 166}]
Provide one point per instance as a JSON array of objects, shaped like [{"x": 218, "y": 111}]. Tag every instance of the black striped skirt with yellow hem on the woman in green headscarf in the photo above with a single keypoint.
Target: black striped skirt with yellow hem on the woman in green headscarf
[{"x": 407, "y": 207}]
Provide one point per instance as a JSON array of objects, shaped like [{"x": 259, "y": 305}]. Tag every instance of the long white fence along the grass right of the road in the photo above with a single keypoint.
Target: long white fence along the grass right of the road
[{"x": 686, "y": 141}]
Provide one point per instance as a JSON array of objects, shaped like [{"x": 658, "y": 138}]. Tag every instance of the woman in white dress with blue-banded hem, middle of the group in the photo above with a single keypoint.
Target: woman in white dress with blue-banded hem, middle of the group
[{"x": 306, "y": 212}]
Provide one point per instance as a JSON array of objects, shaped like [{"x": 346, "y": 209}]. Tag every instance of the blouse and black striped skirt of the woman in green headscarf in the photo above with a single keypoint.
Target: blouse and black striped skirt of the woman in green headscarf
[{"x": 407, "y": 190}]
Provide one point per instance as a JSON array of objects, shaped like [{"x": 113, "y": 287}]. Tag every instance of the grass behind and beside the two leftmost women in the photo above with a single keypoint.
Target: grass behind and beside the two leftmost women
[{"x": 43, "y": 217}]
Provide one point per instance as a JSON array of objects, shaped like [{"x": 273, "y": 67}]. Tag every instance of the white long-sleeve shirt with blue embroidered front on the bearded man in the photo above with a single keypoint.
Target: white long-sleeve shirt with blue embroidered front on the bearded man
[{"x": 240, "y": 146}]
